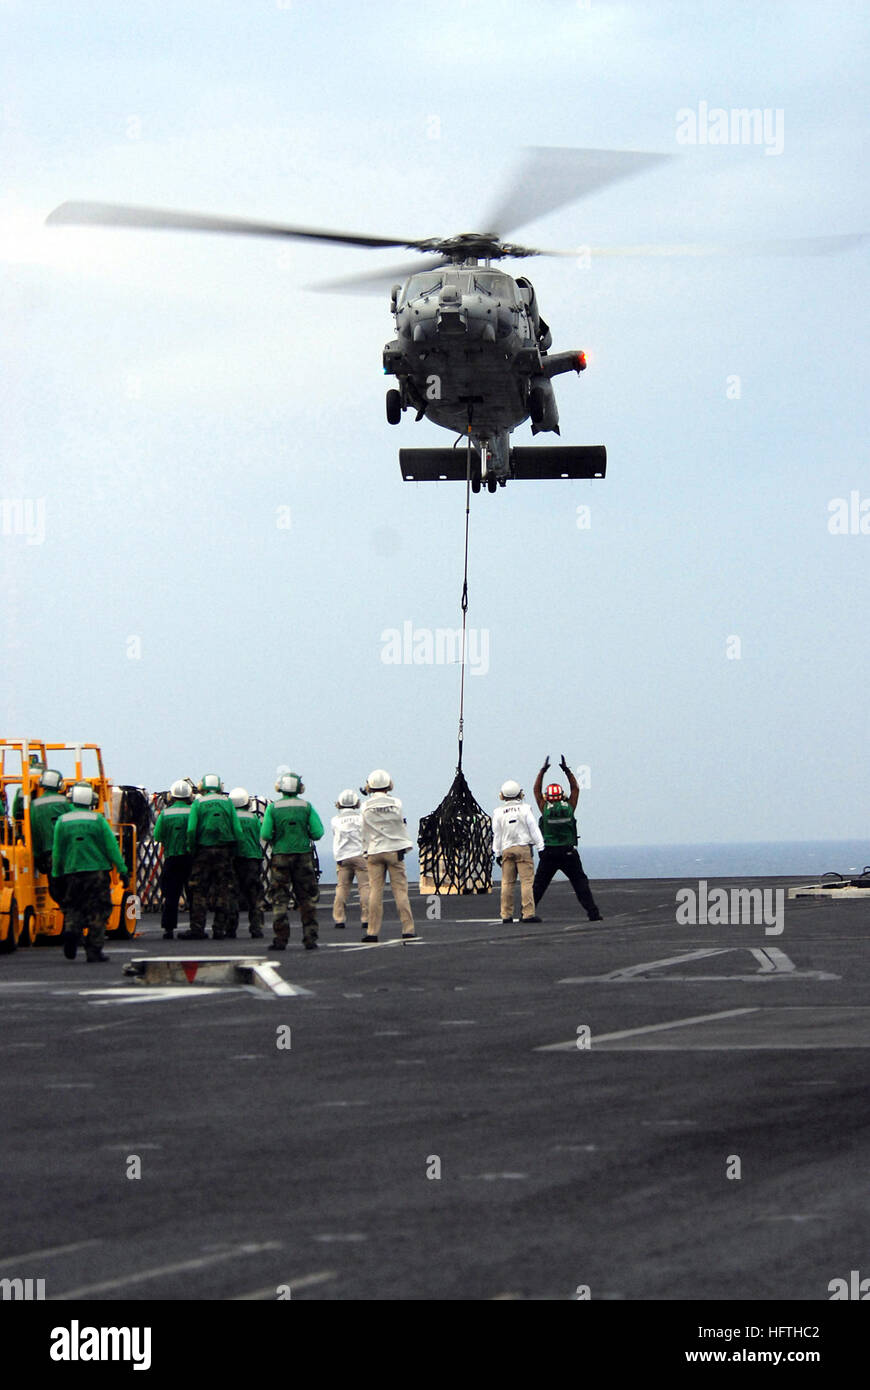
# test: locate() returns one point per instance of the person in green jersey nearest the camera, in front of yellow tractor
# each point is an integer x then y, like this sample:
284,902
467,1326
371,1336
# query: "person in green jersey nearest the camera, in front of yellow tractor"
84,851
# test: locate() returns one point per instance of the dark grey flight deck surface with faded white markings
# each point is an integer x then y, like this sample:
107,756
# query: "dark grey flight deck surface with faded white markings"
313,1168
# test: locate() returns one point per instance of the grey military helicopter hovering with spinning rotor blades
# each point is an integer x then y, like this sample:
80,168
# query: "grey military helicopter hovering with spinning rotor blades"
473,351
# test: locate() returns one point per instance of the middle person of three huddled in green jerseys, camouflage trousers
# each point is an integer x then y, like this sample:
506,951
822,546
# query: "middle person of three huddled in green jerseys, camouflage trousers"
215,839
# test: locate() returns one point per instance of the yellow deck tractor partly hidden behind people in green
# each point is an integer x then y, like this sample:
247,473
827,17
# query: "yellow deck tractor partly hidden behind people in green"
28,911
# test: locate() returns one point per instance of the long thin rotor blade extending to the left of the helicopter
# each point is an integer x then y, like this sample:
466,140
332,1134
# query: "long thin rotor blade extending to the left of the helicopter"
120,215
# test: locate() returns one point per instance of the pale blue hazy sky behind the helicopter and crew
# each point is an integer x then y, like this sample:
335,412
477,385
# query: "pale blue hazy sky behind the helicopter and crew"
205,537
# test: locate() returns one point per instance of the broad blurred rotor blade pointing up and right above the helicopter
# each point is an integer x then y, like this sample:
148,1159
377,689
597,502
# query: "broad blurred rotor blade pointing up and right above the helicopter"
550,177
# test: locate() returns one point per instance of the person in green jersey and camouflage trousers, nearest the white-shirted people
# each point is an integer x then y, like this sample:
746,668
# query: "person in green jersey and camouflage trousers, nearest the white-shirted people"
290,826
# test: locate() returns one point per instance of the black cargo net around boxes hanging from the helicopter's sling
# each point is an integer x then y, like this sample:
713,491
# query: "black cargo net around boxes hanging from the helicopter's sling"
457,844
